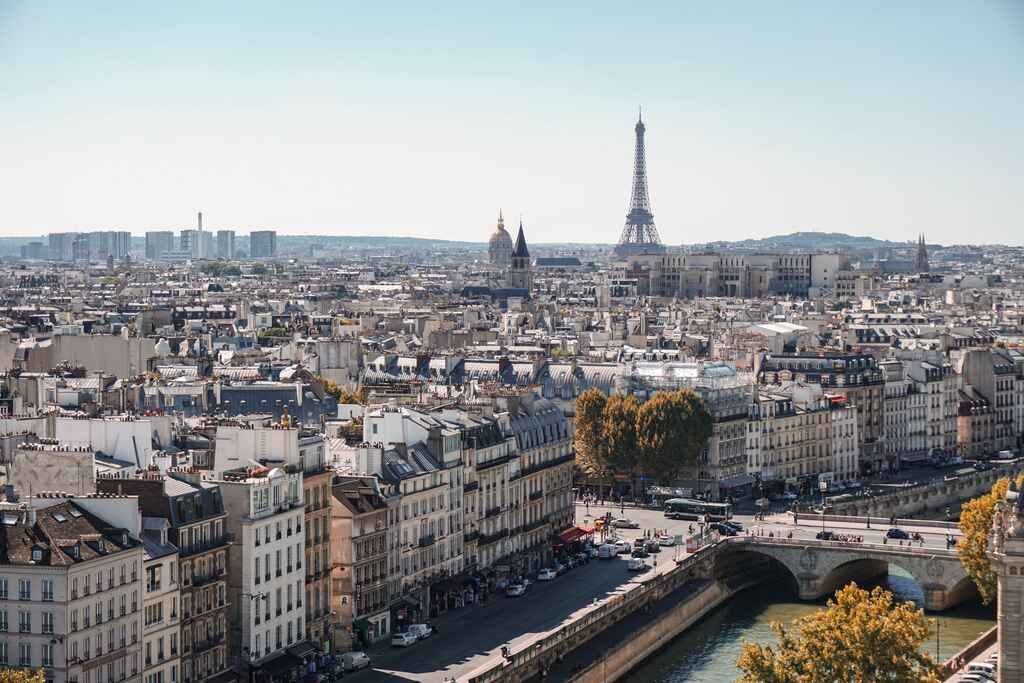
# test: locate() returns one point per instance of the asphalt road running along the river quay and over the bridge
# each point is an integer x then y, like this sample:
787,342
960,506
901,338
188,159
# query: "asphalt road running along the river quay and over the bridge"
468,638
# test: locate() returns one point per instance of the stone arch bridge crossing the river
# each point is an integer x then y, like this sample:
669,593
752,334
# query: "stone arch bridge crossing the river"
822,567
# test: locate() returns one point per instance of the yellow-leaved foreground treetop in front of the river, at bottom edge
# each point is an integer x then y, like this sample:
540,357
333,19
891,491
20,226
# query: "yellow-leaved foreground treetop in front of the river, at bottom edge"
860,637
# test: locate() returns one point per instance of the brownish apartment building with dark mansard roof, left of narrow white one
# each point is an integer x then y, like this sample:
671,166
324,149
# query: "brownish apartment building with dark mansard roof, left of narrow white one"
195,514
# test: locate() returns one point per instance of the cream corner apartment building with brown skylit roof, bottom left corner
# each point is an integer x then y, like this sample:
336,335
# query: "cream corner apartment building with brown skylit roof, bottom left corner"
71,589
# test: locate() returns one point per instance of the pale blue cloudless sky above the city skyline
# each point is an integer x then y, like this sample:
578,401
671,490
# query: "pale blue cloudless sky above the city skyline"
422,119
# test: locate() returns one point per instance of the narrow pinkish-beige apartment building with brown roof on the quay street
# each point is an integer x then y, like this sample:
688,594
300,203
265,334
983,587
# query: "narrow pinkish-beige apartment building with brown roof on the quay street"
361,593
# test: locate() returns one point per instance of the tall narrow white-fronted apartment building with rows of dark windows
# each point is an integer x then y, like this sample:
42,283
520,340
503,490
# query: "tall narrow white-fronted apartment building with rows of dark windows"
267,584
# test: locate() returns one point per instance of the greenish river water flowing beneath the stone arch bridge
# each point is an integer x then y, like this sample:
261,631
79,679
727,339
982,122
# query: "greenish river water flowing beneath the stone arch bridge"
708,652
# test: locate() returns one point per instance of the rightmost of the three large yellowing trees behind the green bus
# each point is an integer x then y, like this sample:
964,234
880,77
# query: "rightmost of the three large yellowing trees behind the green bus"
672,431
